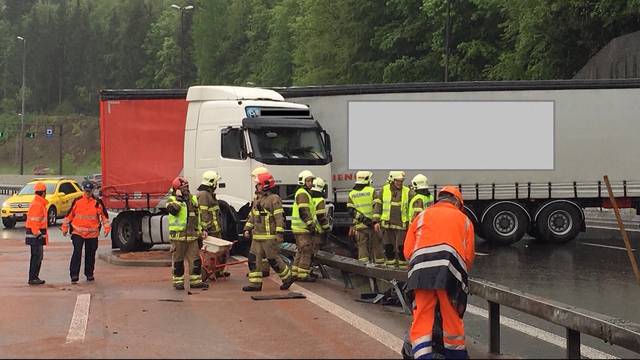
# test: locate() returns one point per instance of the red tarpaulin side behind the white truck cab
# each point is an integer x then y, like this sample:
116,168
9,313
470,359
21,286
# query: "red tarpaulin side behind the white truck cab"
142,149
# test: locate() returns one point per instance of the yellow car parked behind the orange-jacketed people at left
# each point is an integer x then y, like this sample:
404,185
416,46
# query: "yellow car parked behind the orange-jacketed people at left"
60,193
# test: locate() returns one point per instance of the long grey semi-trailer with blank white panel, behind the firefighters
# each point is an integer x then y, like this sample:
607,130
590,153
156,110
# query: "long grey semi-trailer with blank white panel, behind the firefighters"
595,133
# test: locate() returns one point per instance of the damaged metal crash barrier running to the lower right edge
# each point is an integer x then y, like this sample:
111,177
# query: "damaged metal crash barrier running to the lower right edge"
576,321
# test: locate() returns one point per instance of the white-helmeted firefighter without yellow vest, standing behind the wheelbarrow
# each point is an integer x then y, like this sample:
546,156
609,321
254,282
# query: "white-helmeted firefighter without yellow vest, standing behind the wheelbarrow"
210,216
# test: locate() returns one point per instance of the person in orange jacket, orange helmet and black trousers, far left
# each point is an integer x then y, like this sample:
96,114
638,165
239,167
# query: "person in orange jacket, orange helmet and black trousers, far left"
36,232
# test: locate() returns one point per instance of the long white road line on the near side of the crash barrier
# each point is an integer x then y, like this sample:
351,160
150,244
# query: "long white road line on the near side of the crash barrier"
384,337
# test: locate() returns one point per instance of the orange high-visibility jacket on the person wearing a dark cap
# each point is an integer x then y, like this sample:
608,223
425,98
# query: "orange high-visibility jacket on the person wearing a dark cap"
85,218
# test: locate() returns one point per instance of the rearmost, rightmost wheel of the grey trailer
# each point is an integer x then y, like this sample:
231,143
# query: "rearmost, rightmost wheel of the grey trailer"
559,223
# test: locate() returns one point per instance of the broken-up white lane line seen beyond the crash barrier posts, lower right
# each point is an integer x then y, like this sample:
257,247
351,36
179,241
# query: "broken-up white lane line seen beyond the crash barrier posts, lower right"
554,339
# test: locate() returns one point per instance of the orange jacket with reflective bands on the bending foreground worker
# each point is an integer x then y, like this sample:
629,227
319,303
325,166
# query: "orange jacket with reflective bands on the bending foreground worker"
441,249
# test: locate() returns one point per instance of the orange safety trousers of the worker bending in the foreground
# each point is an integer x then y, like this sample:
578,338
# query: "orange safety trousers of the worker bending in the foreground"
422,326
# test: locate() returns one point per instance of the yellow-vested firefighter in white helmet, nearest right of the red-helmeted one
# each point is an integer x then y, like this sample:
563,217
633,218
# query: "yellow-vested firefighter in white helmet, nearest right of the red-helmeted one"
303,226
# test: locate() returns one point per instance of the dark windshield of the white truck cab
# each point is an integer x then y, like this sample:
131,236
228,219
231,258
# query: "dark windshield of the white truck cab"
299,146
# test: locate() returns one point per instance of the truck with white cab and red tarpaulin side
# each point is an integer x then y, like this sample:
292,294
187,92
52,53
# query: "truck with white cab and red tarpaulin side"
148,137
